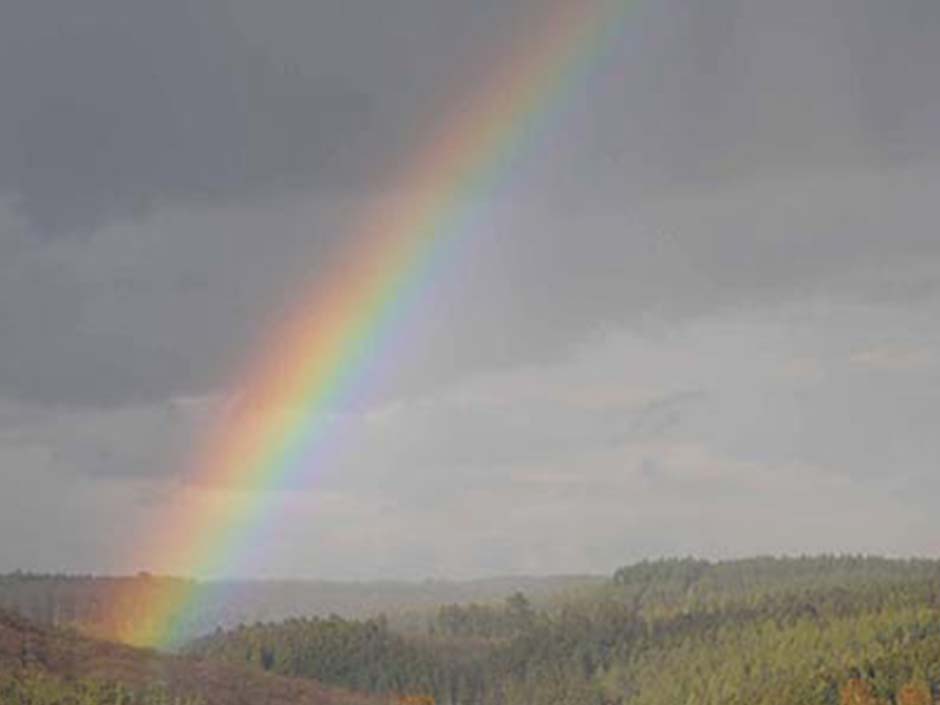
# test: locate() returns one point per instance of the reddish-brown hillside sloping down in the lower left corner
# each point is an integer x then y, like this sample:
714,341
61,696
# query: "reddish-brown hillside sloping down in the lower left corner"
43,662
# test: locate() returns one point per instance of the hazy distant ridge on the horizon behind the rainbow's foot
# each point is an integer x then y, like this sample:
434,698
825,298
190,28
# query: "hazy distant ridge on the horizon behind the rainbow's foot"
93,603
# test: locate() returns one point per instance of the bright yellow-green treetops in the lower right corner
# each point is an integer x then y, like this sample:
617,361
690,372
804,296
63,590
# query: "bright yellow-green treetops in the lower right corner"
767,662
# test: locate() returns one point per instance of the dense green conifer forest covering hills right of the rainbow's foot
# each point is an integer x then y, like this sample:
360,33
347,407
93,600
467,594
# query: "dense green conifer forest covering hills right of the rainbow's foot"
809,631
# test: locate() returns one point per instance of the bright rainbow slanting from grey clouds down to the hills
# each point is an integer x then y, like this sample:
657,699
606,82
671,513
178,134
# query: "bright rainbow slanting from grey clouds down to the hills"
316,356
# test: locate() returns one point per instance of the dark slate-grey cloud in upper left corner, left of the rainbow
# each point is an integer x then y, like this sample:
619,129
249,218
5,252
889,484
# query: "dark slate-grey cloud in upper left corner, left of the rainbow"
115,107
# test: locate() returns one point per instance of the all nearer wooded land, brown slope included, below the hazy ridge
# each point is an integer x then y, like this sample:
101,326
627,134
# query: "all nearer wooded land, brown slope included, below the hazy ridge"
763,631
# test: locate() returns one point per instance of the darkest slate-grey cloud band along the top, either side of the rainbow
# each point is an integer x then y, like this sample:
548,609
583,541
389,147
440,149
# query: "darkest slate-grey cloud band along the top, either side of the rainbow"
114,107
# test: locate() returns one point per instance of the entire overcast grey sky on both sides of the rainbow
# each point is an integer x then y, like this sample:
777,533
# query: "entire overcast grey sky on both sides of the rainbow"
700,316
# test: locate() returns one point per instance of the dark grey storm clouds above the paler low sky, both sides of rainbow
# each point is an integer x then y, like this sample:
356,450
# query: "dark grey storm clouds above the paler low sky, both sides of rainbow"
724,153
